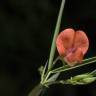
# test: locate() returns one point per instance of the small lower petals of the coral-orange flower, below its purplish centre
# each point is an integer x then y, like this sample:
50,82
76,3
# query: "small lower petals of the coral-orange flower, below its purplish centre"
75,57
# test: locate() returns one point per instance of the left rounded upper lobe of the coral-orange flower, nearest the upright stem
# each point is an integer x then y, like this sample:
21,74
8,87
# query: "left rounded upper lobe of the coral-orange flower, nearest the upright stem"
65,40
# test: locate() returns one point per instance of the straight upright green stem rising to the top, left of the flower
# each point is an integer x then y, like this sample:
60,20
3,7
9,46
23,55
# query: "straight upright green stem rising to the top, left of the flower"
53,46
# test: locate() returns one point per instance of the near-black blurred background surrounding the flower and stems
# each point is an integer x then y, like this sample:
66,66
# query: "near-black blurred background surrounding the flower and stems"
26,31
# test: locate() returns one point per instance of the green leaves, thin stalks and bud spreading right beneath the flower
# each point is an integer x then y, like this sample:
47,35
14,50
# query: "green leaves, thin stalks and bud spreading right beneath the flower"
50,77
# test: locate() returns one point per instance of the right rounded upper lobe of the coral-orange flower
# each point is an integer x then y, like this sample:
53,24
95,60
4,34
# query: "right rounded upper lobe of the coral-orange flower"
81,41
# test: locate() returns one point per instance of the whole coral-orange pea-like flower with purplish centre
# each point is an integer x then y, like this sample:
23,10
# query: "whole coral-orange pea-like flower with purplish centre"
72,45
